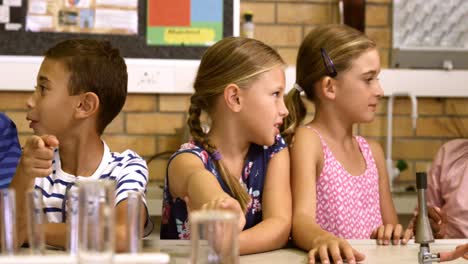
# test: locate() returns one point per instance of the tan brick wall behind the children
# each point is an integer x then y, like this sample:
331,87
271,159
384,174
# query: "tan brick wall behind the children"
150,124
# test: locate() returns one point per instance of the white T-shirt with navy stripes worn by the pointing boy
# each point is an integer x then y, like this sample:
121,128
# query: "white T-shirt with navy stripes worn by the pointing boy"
127,168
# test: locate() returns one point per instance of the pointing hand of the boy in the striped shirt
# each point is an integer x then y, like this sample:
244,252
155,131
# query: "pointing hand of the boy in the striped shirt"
38,153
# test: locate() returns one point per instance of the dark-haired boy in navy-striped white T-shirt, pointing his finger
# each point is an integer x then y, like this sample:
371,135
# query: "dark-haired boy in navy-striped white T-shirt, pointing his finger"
81,87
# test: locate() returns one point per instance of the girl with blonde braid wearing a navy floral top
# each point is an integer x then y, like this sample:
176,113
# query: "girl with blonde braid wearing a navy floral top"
241,163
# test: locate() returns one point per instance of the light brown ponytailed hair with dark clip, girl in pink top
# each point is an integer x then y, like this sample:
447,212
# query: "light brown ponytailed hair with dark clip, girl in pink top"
343,44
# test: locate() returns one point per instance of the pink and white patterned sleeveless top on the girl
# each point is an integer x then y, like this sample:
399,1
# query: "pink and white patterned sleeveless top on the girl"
348,206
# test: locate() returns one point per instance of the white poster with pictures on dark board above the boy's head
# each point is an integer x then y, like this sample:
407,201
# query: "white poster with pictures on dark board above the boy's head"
118,17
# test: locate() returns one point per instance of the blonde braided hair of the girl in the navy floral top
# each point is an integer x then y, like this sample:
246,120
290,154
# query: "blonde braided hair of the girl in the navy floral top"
233,60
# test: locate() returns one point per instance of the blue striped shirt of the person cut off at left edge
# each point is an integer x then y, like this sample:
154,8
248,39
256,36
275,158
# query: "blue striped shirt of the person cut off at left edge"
10,150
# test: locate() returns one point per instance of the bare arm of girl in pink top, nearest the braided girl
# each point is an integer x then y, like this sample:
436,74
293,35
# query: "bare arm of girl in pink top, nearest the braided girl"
306,154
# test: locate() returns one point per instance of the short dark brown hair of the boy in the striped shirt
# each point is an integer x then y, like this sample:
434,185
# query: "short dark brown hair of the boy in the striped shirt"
94,66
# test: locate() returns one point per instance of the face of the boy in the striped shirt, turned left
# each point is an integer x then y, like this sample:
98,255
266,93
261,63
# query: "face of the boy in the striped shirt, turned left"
51,109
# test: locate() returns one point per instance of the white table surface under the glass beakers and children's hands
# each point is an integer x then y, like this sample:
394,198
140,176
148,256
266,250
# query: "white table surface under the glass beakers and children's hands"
179,252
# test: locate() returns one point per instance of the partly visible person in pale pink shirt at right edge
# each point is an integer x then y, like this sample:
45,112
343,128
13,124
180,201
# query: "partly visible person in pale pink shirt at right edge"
446,198
